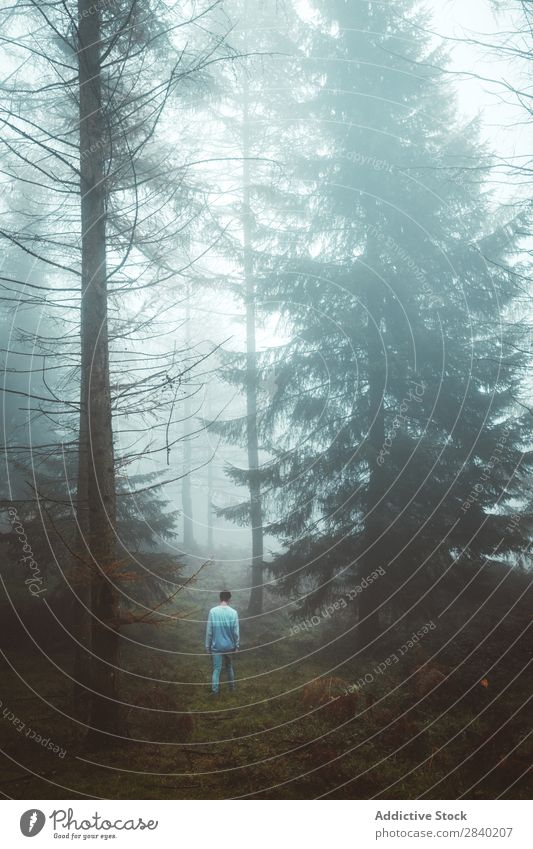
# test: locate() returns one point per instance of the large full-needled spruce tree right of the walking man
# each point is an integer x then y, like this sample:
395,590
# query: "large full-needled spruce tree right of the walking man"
395,397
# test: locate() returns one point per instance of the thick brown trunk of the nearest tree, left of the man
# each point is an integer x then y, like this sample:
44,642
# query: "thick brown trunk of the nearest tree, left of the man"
95,369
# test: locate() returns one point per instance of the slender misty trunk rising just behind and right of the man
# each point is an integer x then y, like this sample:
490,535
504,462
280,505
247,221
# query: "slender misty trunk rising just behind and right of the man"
256,511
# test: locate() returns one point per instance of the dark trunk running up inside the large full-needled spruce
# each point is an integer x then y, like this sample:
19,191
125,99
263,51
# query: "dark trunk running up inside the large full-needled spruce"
369,627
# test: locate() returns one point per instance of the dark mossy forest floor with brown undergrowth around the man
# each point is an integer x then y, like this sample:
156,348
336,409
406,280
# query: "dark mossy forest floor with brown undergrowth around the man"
278,735
